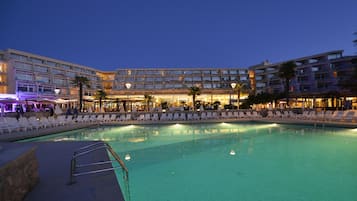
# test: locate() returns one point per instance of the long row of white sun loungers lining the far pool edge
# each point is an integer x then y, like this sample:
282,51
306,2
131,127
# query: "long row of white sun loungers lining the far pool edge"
10,124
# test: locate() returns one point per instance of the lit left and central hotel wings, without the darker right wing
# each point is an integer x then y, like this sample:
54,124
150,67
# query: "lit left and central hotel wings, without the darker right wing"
33,77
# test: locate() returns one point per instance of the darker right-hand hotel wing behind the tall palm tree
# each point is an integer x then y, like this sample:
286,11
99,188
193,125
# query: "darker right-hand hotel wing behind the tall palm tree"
316,77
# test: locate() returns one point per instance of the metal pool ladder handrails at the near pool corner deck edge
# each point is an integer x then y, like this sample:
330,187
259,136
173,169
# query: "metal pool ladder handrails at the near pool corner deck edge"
74,172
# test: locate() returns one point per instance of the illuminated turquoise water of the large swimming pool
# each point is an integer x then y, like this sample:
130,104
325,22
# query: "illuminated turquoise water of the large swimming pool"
232,161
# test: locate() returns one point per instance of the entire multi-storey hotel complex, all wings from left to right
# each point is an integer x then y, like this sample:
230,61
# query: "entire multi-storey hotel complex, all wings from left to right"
30,77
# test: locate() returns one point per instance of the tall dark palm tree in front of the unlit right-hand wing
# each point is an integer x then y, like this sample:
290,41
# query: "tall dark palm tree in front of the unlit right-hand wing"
287,72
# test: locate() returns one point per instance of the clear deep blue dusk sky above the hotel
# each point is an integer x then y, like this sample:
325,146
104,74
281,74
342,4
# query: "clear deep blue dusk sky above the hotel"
111,34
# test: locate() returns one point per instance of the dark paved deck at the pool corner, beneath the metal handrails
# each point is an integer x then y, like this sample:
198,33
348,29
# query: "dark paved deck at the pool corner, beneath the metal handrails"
54,167
